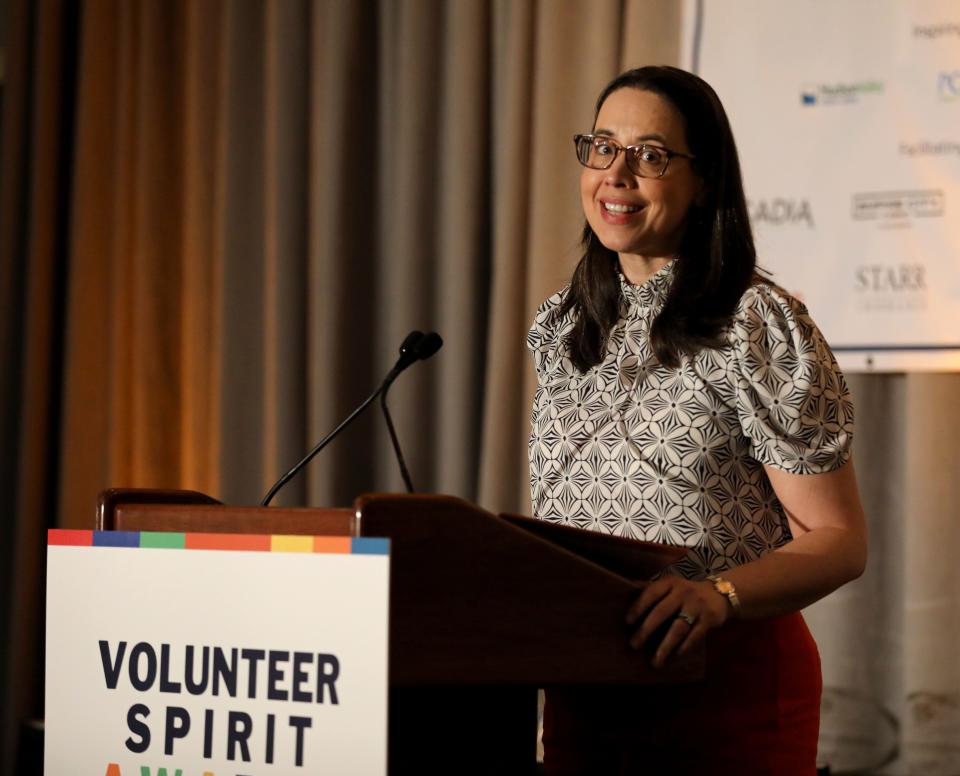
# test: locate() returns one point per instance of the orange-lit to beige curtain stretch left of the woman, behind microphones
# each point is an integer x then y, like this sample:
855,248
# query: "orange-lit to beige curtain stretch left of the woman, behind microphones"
270,195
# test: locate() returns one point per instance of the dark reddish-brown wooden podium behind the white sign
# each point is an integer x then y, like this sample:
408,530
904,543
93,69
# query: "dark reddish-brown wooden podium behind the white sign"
484,609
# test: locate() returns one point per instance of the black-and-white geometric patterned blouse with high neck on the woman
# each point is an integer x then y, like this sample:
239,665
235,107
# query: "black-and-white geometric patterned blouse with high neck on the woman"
676,456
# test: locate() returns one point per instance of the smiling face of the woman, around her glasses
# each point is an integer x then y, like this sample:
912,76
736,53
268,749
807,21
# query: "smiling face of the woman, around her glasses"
631,215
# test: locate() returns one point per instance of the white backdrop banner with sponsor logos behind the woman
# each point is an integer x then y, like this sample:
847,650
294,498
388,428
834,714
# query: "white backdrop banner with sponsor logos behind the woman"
851,162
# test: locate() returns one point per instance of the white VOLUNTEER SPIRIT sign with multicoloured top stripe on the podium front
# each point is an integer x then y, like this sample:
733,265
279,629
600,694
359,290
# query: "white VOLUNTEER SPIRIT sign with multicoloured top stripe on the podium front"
215,655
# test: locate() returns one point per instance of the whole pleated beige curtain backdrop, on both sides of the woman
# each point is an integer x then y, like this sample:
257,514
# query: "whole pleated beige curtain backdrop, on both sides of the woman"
265,197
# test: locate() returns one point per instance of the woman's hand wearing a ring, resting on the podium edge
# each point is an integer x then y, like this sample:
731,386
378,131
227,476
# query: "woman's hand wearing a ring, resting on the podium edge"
694,607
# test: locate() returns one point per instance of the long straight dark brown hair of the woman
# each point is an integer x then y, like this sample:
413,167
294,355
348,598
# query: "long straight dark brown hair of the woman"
717,258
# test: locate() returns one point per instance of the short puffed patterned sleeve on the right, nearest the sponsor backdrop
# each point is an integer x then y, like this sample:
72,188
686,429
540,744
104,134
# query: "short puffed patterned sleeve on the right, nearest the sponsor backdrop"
792,400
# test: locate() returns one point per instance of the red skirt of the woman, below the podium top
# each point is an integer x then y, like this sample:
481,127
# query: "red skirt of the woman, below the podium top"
756,712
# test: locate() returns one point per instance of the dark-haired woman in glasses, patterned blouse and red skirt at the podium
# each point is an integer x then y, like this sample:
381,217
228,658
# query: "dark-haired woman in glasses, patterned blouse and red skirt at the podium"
685,398
